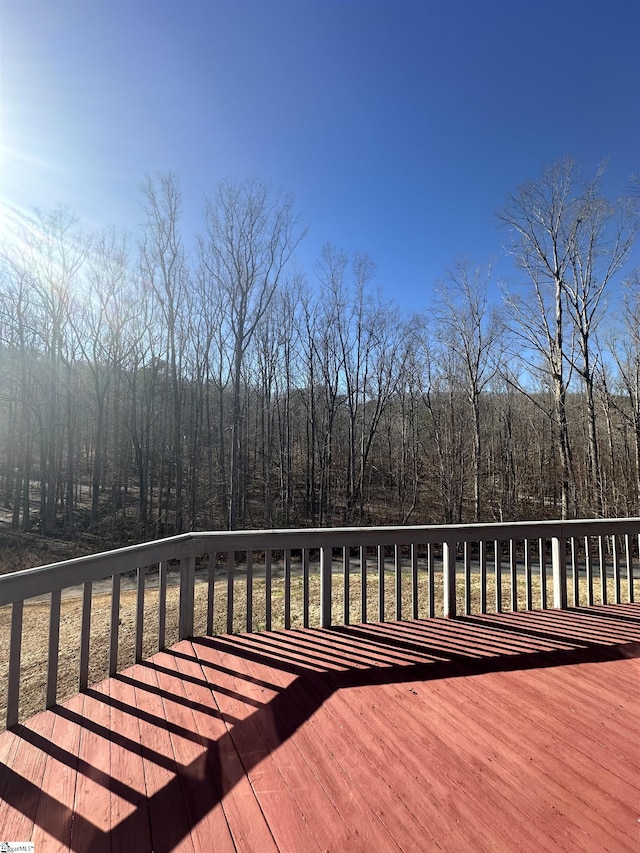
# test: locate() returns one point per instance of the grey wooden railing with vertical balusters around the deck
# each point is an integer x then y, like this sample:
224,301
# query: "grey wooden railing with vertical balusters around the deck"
469,565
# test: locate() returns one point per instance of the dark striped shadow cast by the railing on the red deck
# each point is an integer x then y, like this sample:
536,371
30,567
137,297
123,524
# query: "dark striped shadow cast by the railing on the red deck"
298,671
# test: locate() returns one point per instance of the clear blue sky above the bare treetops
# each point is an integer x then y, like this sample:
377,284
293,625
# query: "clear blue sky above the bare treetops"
399,127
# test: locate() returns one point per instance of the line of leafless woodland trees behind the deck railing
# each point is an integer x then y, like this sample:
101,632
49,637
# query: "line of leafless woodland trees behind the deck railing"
151,390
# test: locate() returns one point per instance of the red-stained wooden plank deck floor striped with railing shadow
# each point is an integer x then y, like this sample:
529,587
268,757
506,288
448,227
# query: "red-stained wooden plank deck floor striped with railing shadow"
500,732
